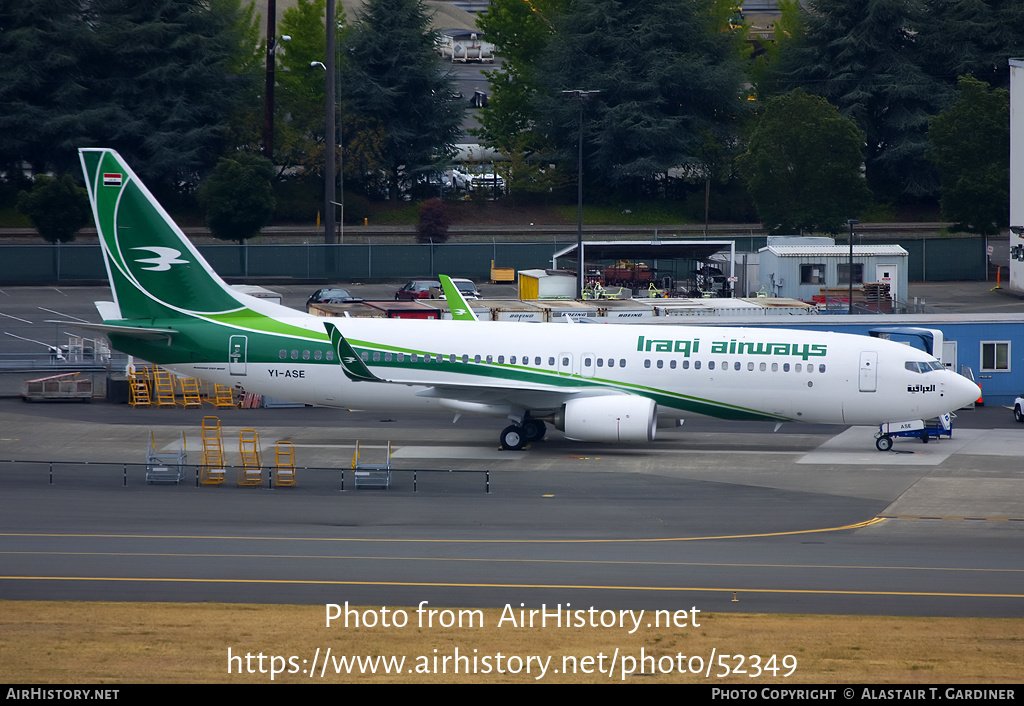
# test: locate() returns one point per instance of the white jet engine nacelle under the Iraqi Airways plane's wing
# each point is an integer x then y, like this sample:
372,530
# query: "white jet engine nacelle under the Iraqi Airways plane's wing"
610,419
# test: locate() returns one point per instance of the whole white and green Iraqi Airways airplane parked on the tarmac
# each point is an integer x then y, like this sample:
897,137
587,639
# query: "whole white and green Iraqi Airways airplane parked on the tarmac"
596,384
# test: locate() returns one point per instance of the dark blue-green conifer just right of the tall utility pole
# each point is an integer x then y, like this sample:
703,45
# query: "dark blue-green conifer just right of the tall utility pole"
394,82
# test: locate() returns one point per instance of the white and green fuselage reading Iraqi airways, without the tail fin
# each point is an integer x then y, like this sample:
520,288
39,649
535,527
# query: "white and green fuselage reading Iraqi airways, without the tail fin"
727,372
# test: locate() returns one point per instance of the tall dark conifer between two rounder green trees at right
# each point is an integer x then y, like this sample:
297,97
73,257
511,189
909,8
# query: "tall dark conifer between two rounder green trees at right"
866,58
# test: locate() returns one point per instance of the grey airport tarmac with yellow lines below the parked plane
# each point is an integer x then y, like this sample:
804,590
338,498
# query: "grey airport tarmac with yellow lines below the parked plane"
722,517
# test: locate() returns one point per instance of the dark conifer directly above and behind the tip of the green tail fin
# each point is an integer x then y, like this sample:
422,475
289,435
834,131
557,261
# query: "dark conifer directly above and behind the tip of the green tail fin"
162,73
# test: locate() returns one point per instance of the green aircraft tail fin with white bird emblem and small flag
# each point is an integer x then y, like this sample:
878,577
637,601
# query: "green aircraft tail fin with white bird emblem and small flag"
154,270
